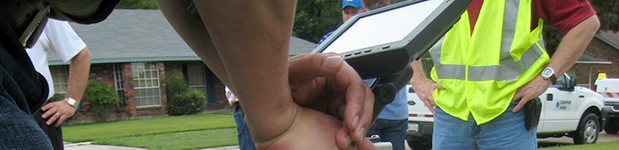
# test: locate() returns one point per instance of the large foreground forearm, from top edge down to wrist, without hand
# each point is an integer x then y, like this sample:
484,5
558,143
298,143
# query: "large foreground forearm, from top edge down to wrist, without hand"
256,64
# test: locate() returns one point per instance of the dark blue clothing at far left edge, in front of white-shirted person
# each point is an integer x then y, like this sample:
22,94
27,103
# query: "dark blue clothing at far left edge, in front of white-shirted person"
21,91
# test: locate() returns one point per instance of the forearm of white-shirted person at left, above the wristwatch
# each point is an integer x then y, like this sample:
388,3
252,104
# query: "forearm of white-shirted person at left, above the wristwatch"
78,74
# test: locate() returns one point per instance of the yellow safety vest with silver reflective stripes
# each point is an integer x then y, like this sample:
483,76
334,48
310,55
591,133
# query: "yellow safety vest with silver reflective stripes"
482,71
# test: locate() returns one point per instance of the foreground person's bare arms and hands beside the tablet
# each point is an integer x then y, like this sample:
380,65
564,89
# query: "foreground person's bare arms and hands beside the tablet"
248,46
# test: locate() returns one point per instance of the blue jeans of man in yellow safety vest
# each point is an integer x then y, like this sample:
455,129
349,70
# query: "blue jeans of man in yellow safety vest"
504,132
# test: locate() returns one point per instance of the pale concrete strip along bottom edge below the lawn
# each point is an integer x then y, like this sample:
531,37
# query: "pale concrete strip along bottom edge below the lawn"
89,146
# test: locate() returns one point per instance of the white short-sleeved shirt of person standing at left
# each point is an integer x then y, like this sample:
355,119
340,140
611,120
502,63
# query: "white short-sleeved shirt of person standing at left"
59,37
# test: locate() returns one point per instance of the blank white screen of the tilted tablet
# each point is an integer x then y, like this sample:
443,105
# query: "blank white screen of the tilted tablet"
382,28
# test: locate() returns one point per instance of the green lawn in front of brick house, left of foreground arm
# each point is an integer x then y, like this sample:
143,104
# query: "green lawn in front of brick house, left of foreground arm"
203,130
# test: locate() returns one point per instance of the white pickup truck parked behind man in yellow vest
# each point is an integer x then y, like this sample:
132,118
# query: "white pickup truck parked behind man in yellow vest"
567,110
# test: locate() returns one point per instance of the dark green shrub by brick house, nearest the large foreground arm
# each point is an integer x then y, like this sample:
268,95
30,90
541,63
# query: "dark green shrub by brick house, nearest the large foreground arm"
183,100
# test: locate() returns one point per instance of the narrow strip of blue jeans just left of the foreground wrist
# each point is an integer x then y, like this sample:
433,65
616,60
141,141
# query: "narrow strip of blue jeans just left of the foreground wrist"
245,141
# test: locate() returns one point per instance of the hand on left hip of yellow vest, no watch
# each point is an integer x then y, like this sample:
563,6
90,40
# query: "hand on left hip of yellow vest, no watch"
424,88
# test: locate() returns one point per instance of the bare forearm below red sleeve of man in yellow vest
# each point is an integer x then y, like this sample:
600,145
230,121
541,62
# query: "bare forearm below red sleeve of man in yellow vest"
573,45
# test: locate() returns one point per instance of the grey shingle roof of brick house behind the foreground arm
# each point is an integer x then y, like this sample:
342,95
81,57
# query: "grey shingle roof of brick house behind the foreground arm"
134,35
